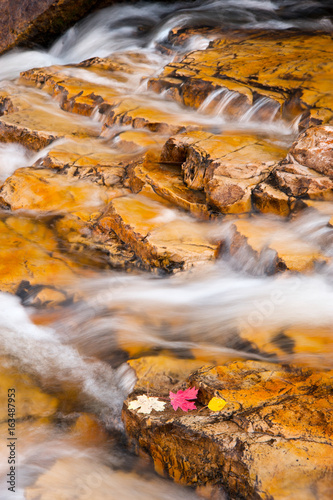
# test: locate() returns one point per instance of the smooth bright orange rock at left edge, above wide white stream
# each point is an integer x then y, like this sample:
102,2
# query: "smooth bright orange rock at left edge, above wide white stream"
31,263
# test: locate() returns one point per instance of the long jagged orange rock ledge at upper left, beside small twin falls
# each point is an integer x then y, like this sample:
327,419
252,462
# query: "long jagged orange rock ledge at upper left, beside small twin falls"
78,95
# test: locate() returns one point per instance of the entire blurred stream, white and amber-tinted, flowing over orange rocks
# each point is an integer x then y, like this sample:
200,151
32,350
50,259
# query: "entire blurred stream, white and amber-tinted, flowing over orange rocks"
75,354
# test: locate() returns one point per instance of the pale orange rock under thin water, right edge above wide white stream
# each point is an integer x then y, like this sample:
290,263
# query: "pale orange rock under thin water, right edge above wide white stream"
268,246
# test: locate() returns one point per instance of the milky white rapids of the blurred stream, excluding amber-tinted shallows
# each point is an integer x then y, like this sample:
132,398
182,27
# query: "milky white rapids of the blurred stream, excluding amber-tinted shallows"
207,312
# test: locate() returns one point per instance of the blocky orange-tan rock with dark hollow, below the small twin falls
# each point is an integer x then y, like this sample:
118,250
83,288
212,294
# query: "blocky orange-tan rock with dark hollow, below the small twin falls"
226,167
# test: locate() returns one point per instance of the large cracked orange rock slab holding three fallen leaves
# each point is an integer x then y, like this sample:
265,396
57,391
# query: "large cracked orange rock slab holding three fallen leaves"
268,421
